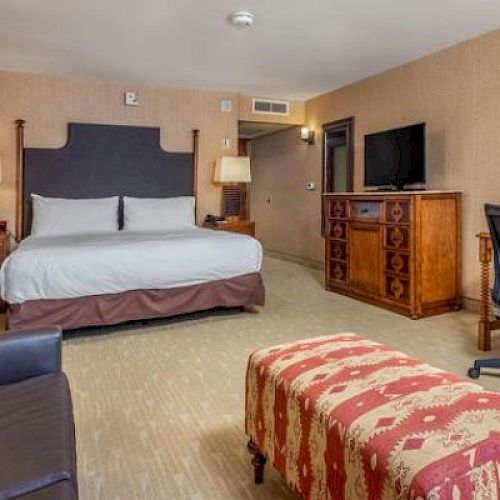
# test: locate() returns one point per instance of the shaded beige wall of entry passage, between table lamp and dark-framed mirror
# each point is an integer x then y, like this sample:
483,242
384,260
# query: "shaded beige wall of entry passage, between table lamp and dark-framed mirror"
290,221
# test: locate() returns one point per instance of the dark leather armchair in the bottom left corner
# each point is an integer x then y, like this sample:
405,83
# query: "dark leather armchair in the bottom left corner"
37,436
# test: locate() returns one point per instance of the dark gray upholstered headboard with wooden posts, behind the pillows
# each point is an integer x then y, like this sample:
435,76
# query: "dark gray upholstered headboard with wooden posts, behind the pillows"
105,160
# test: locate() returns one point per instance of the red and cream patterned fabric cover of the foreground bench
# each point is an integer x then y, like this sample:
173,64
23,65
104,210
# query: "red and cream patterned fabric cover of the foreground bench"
345,417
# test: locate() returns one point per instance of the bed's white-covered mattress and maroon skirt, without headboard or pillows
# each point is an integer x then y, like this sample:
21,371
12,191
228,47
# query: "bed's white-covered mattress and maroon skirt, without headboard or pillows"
98,279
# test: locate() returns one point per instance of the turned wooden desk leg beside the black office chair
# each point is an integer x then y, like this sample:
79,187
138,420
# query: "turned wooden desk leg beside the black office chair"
484,327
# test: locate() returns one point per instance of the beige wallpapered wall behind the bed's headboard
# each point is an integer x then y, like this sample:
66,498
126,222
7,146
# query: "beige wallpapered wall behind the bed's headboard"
49,103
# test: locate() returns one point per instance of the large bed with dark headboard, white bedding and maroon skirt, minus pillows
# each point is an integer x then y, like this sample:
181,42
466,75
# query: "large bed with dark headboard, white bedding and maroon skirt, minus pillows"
87,279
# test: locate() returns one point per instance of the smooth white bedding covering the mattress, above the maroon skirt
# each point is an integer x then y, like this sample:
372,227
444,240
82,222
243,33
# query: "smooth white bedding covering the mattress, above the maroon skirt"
62,267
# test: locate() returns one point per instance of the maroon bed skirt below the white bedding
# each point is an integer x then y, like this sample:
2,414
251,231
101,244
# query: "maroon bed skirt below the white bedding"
111,309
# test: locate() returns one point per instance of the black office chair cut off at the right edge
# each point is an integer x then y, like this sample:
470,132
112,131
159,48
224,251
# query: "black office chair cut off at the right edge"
492,213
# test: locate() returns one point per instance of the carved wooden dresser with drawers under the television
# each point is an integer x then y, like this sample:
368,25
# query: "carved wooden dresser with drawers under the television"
398,250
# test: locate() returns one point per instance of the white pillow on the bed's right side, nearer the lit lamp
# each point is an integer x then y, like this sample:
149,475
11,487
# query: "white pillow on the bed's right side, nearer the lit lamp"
158,214
